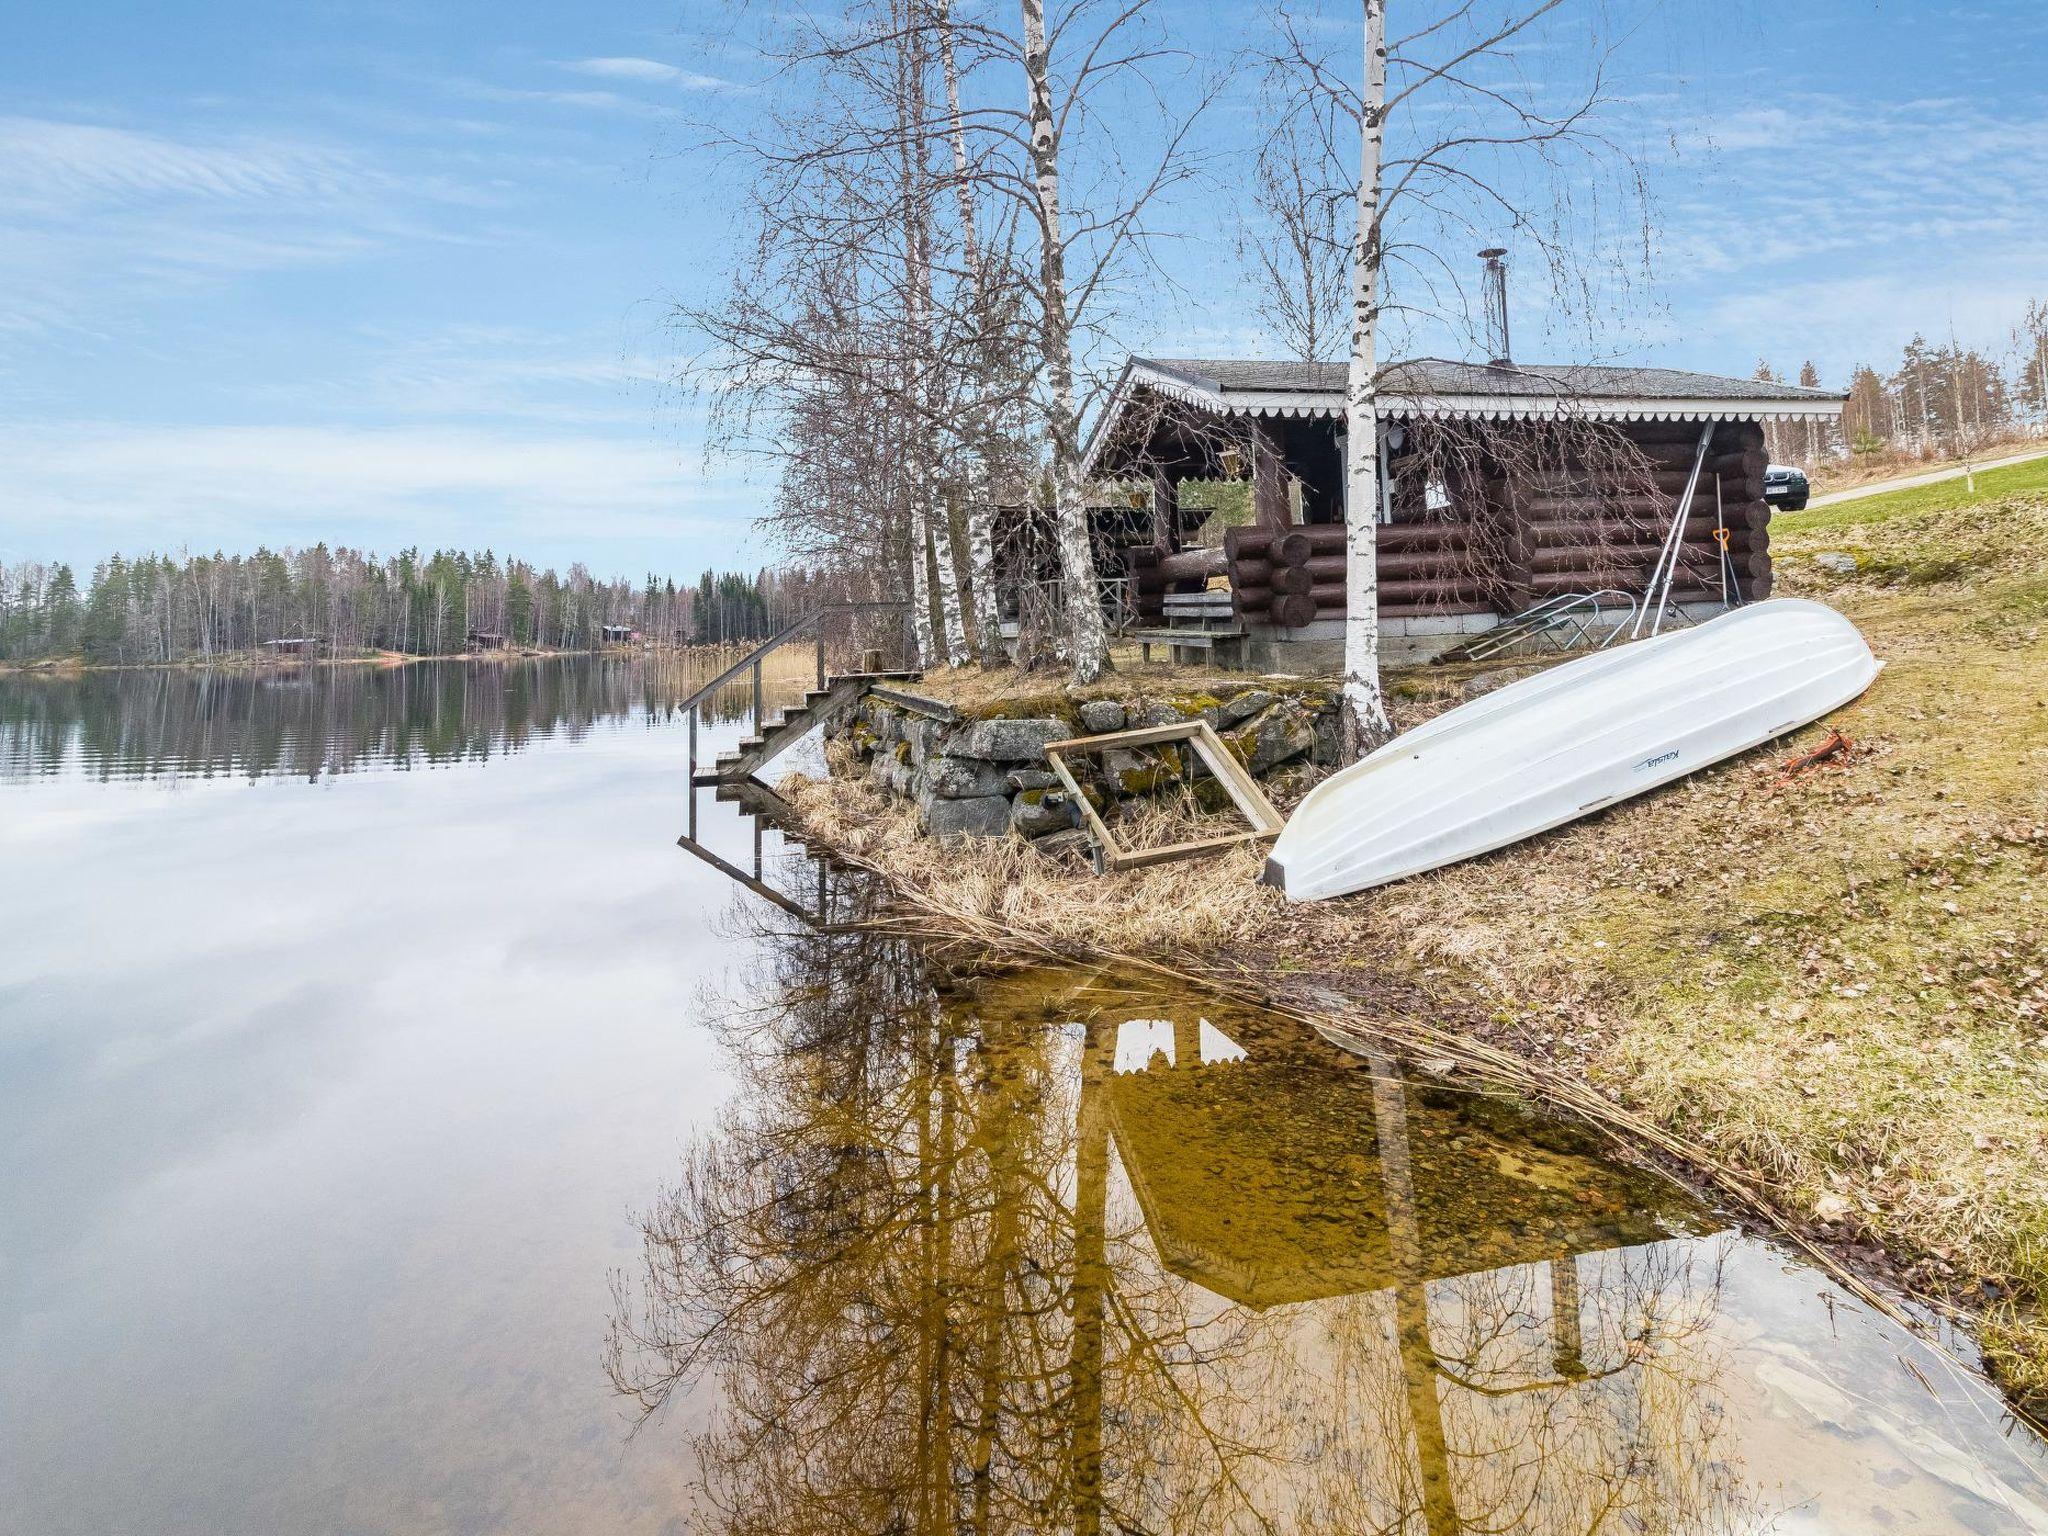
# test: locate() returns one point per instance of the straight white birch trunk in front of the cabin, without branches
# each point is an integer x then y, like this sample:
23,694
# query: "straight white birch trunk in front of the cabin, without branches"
1365,708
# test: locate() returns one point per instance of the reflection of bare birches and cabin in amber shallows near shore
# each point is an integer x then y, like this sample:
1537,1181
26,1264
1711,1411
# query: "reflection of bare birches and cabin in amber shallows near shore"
939,1283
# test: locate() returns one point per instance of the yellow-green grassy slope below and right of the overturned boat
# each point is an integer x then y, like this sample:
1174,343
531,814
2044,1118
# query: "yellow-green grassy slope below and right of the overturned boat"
1838,982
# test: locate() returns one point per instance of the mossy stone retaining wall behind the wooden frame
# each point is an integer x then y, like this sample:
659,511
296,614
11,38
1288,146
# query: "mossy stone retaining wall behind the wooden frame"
990,779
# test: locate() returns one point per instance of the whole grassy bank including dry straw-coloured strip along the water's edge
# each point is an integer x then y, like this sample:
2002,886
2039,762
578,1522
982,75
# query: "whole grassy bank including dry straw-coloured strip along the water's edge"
1822,994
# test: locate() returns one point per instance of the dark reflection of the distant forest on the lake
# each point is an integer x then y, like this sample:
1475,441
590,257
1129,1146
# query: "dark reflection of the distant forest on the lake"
327,720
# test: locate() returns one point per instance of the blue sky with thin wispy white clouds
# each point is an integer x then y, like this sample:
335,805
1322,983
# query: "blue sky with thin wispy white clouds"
400,273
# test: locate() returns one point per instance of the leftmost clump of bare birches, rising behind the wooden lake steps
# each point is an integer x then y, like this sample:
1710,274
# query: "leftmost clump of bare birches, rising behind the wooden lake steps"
849,290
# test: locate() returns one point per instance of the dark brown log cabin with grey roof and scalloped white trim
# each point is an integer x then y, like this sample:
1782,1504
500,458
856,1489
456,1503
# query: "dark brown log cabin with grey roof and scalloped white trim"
1531,511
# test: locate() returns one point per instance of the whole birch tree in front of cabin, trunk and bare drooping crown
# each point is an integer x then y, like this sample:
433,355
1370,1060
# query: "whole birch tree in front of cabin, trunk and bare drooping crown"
1447,146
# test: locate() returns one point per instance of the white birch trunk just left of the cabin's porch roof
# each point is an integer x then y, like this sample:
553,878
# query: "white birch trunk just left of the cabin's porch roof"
1086,640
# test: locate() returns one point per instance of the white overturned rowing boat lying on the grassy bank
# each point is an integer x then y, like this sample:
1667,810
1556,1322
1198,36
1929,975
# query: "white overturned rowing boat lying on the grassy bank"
1568,742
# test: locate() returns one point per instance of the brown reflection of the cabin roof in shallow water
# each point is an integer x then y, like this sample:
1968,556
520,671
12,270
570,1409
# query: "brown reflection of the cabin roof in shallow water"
1261,1177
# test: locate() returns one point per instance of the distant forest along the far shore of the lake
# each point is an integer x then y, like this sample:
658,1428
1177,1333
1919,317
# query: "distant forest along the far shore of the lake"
196,607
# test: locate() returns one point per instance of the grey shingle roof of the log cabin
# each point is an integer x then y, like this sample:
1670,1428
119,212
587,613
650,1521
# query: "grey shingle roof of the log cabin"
1443,378
